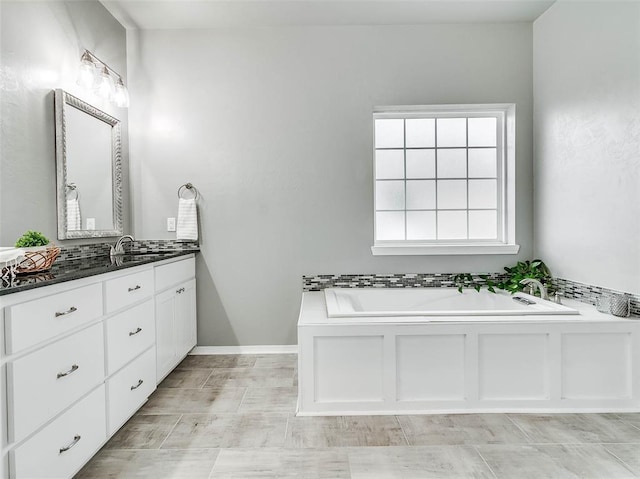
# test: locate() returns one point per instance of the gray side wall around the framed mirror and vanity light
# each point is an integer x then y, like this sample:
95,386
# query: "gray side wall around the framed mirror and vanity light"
41,44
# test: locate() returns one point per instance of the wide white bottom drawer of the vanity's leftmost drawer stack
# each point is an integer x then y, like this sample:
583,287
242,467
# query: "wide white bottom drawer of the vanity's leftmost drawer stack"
81,429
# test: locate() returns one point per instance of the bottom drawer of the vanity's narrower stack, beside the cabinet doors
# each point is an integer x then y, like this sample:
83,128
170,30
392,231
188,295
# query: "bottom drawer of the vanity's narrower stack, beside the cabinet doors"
130,388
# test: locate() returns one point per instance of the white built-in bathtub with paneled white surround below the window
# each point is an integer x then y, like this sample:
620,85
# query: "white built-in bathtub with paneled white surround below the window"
434,350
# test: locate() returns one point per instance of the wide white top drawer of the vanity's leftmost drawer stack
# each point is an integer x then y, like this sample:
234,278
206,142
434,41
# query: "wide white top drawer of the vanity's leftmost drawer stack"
41,319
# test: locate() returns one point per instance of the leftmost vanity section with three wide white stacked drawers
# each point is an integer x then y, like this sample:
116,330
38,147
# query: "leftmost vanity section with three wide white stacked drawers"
54,357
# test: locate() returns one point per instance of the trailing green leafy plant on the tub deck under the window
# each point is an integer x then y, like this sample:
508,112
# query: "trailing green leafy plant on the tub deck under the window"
535,269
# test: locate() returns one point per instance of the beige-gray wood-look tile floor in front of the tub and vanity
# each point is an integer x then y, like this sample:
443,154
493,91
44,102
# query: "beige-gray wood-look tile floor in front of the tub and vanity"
233,417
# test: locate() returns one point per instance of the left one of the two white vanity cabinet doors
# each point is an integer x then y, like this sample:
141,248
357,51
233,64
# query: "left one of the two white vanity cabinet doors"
166,353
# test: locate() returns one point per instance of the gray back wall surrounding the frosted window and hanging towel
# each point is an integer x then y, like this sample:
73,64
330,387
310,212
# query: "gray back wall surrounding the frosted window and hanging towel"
274,127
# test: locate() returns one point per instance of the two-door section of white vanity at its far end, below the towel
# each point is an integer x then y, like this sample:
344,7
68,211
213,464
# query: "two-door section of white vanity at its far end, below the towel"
175,314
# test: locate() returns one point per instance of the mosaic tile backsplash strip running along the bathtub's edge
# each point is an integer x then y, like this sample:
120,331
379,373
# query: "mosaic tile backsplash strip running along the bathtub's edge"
566,288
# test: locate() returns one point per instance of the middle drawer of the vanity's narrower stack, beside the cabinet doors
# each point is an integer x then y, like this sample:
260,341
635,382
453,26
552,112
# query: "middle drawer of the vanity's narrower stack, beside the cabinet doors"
128,334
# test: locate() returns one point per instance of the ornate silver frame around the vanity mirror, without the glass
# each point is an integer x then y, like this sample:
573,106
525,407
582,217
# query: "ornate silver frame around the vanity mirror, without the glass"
64,100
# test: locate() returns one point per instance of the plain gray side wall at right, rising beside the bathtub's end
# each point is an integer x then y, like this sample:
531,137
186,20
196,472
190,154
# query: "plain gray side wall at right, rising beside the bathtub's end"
587,142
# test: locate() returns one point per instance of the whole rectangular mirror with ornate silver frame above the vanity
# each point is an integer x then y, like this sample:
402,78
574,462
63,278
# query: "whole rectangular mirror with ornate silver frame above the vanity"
88,170
